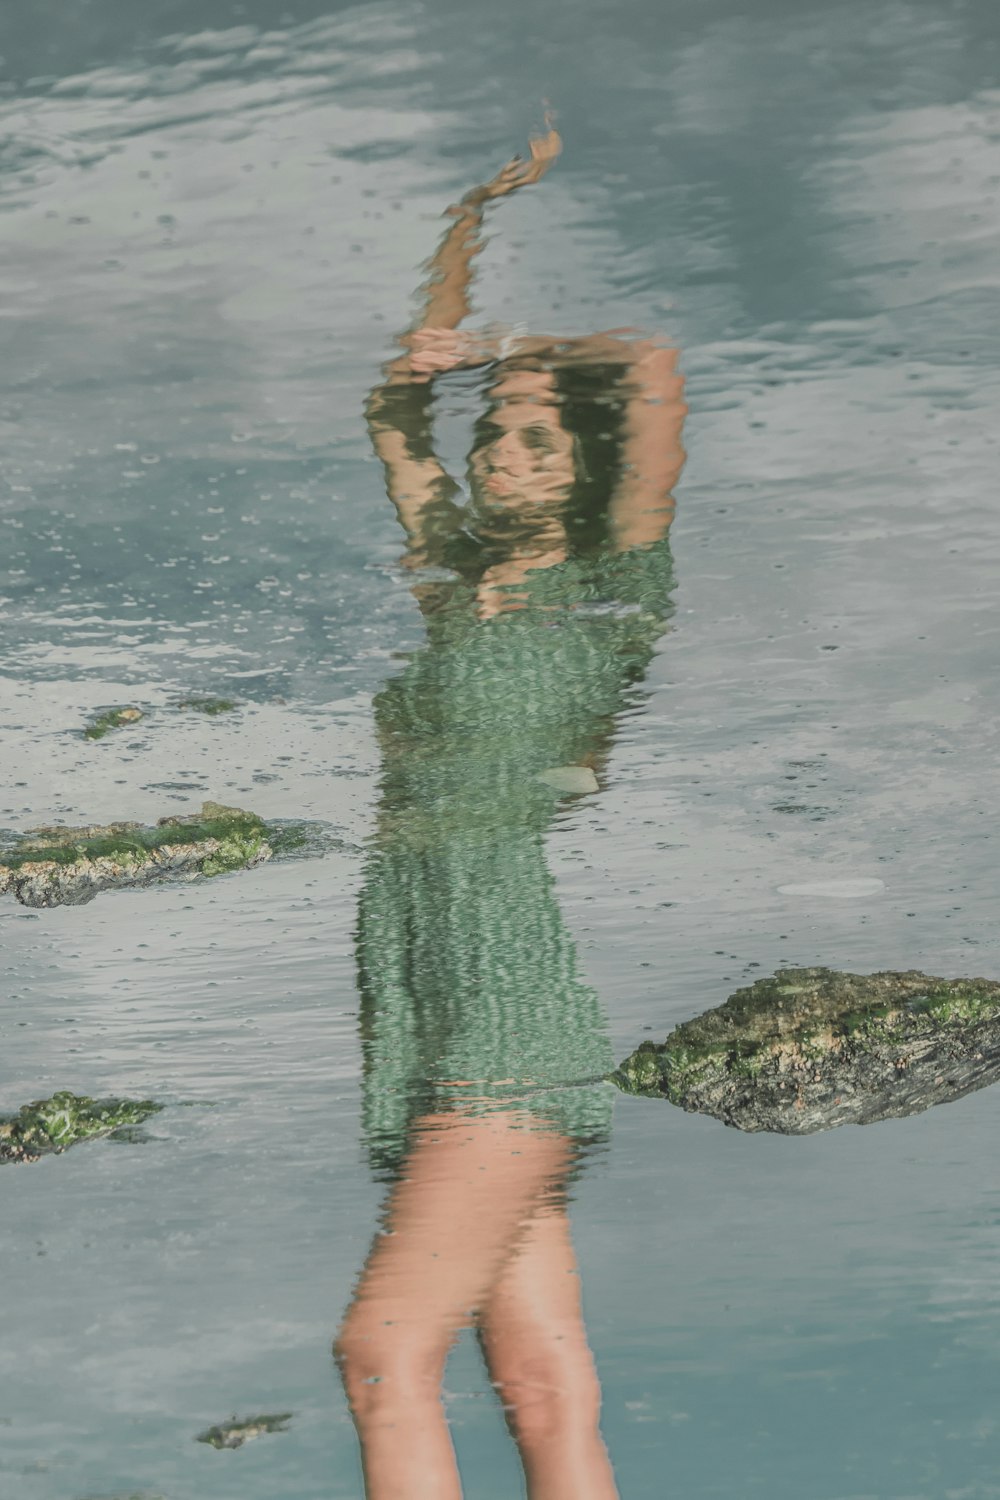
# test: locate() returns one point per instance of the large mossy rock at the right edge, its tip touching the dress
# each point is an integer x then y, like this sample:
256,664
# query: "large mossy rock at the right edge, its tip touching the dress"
812,1049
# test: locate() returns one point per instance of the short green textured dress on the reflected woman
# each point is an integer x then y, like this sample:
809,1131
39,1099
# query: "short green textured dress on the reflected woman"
472,994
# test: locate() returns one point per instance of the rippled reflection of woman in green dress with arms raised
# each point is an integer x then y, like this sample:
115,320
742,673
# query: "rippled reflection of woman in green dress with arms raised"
484,1049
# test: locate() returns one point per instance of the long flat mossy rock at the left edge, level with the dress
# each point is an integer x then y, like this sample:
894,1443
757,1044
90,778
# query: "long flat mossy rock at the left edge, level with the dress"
70,866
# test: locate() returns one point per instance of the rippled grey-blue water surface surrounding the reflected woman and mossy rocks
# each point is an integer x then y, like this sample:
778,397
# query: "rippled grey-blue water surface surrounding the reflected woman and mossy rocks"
214,220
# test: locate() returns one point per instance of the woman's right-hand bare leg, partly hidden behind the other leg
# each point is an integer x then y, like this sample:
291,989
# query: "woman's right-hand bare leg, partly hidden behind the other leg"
536,1346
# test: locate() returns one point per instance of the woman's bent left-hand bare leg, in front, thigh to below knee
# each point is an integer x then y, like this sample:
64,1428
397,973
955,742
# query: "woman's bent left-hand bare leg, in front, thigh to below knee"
470,1187
